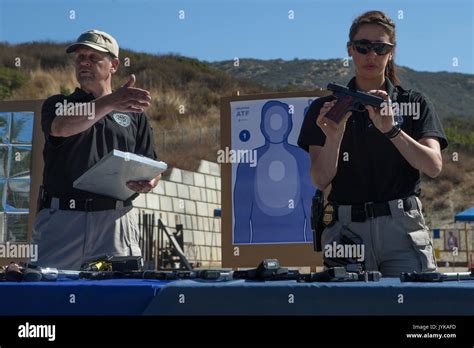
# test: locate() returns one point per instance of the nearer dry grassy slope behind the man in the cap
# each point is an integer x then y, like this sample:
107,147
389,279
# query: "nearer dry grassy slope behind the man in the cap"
186,93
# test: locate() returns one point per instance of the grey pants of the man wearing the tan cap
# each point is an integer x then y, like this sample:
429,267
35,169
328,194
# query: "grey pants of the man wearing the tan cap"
66,239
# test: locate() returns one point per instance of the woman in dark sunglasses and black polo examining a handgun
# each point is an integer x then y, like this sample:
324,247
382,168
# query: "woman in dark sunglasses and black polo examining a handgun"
372,160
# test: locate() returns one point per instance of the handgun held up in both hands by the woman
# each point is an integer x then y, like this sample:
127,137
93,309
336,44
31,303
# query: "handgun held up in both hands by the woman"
349,100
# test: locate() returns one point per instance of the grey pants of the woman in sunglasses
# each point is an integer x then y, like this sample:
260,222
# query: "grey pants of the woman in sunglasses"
397,243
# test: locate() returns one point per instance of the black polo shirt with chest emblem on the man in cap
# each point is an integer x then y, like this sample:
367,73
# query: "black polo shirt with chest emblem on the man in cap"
66,159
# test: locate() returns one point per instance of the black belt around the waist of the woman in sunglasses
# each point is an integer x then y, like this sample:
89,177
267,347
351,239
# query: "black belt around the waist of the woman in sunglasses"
362,212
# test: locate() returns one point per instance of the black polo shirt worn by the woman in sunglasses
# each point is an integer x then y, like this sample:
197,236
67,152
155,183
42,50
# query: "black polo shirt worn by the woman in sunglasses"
375,170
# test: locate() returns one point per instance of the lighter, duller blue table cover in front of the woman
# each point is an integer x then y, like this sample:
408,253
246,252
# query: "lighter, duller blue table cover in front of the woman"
386,297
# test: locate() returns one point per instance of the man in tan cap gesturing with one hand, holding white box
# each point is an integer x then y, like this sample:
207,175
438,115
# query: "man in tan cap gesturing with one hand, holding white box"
73,226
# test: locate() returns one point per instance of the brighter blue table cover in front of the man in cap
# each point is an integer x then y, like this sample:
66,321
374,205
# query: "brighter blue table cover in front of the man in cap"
78,297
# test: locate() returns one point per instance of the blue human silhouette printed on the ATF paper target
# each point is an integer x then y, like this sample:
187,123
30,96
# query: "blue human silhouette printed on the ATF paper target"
272,200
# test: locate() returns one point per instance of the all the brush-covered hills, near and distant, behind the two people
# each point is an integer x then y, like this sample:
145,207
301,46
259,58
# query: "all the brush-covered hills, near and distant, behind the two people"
184,136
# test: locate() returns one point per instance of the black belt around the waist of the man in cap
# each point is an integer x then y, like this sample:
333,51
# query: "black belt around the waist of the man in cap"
89,205
